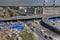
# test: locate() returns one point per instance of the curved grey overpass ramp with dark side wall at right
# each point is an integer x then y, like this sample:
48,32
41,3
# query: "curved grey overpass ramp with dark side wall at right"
48,24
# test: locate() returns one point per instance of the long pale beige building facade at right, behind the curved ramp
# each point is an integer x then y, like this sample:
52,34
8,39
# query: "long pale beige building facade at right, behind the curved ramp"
51,10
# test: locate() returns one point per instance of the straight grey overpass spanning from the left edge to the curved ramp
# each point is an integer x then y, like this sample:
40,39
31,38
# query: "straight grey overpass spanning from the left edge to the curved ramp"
22,17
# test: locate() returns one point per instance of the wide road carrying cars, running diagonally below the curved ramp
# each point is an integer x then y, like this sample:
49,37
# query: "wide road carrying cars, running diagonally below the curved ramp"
41,31
